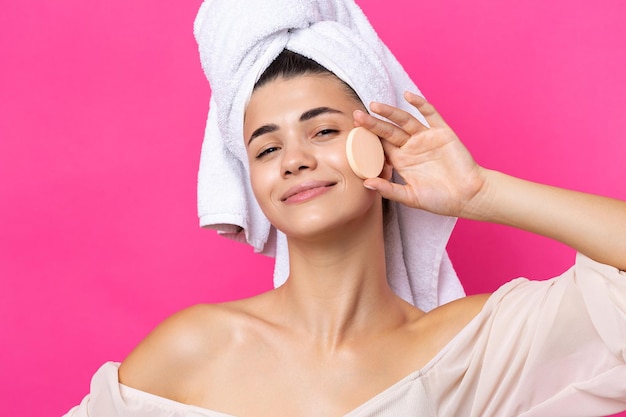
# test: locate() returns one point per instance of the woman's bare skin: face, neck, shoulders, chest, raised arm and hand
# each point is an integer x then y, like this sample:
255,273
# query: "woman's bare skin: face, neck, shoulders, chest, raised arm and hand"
335,335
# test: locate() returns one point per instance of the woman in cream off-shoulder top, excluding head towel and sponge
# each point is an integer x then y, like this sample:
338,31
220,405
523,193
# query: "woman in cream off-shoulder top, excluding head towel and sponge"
335,340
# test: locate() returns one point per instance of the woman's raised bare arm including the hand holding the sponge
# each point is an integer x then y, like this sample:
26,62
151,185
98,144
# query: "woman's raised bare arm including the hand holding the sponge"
442,177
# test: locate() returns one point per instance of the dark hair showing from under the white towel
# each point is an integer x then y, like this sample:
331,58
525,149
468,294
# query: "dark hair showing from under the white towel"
289,65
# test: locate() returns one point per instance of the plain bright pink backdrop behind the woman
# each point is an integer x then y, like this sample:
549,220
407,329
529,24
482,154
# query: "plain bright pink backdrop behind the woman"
102,110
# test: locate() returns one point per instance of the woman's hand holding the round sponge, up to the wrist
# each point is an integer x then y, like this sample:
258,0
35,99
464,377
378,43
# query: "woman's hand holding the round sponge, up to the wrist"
440,174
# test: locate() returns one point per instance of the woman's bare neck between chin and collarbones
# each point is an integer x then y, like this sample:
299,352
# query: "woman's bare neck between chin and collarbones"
337,288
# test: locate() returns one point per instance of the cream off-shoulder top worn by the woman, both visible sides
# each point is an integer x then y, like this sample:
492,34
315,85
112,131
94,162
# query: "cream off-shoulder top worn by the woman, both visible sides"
537,349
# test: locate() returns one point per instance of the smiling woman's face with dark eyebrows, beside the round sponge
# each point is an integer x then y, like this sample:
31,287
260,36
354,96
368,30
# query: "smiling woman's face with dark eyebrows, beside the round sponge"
295,134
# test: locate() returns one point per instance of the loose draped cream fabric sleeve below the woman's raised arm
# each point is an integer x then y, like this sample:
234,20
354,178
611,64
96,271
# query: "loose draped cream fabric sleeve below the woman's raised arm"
541,348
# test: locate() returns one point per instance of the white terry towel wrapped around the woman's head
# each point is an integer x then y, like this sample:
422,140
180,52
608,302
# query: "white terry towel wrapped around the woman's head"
238,39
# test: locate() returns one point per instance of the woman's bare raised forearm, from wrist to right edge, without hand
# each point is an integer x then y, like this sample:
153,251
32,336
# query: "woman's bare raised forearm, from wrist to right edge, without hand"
593,225
